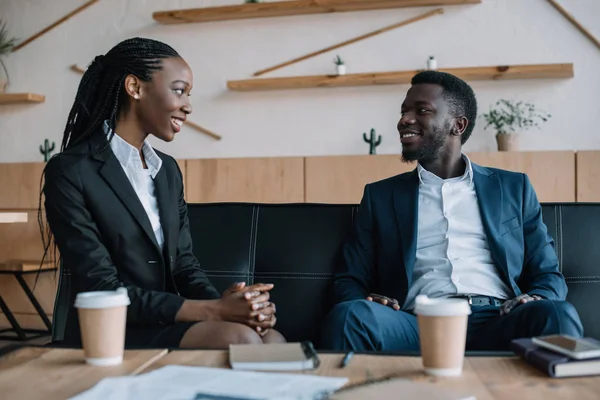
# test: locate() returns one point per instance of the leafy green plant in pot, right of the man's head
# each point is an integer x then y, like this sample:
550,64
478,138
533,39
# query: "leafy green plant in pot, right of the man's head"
509,118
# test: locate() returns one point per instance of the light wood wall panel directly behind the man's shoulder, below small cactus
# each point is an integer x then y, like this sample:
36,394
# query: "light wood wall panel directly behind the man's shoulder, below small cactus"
341,179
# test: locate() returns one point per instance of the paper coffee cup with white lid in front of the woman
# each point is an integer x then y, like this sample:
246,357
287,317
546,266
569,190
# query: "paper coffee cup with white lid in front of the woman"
102,319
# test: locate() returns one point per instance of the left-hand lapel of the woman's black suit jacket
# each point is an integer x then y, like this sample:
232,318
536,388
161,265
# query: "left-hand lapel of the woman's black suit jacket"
112,172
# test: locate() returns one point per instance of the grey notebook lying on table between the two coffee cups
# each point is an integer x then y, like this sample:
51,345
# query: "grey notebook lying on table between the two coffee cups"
274,357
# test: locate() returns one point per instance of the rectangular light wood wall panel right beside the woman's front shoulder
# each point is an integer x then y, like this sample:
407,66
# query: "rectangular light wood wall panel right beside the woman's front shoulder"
260,180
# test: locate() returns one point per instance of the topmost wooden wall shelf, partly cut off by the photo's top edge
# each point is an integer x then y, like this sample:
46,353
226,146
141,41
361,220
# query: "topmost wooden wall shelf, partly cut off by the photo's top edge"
288,8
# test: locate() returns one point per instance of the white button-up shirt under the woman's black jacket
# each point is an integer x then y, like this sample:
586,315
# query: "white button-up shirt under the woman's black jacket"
140,178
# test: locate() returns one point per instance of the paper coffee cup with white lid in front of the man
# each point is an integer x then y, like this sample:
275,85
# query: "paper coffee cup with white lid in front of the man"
442,333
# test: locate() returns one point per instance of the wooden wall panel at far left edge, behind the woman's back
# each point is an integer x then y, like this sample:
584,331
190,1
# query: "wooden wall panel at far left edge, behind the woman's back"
20,183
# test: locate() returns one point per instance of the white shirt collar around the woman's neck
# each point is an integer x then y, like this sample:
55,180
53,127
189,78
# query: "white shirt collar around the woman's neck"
129,156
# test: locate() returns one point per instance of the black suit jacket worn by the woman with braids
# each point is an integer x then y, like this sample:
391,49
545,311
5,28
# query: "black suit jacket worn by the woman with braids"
105,238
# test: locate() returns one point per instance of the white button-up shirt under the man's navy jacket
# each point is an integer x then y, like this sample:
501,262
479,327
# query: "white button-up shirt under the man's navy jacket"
453,256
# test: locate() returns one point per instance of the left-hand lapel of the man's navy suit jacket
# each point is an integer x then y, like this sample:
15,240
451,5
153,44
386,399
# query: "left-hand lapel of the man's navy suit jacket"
406,207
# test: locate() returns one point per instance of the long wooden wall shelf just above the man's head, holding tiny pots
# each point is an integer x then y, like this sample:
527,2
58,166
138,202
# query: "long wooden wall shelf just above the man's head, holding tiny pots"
540,71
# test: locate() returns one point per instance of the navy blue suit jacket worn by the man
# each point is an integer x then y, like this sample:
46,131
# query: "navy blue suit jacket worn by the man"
379,254
